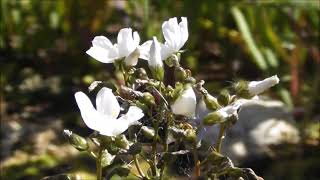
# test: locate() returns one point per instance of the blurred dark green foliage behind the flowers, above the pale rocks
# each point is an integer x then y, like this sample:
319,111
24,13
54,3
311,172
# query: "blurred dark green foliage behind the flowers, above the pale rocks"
43,44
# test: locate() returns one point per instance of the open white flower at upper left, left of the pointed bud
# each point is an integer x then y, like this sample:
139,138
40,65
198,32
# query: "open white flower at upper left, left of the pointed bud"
127,47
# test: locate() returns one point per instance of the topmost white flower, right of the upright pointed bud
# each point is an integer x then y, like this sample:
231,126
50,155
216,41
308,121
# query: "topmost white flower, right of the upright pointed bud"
175,35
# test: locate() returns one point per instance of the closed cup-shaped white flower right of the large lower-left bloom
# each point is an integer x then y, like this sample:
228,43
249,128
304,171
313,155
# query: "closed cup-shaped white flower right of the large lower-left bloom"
185,104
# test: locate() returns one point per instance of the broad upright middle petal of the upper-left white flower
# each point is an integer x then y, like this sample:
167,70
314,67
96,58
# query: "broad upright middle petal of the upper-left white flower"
125,42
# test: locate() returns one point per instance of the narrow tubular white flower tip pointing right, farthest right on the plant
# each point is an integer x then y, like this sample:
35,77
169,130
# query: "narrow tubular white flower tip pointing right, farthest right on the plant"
257,87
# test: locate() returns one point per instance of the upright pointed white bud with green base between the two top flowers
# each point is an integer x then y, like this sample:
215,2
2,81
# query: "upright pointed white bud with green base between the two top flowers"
155,62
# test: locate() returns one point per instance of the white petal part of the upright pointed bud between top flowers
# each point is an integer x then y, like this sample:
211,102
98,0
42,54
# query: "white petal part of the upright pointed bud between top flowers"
155,54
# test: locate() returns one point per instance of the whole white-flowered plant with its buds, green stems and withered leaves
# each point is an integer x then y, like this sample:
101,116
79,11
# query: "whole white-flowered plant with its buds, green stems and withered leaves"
154,119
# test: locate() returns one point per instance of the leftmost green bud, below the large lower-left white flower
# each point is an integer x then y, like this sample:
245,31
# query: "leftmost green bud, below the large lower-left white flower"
76,141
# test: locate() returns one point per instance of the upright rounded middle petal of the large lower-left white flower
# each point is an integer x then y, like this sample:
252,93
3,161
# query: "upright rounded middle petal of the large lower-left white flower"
107,103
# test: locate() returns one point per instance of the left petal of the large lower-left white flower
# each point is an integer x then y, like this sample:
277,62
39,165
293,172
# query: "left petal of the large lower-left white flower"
91,117
